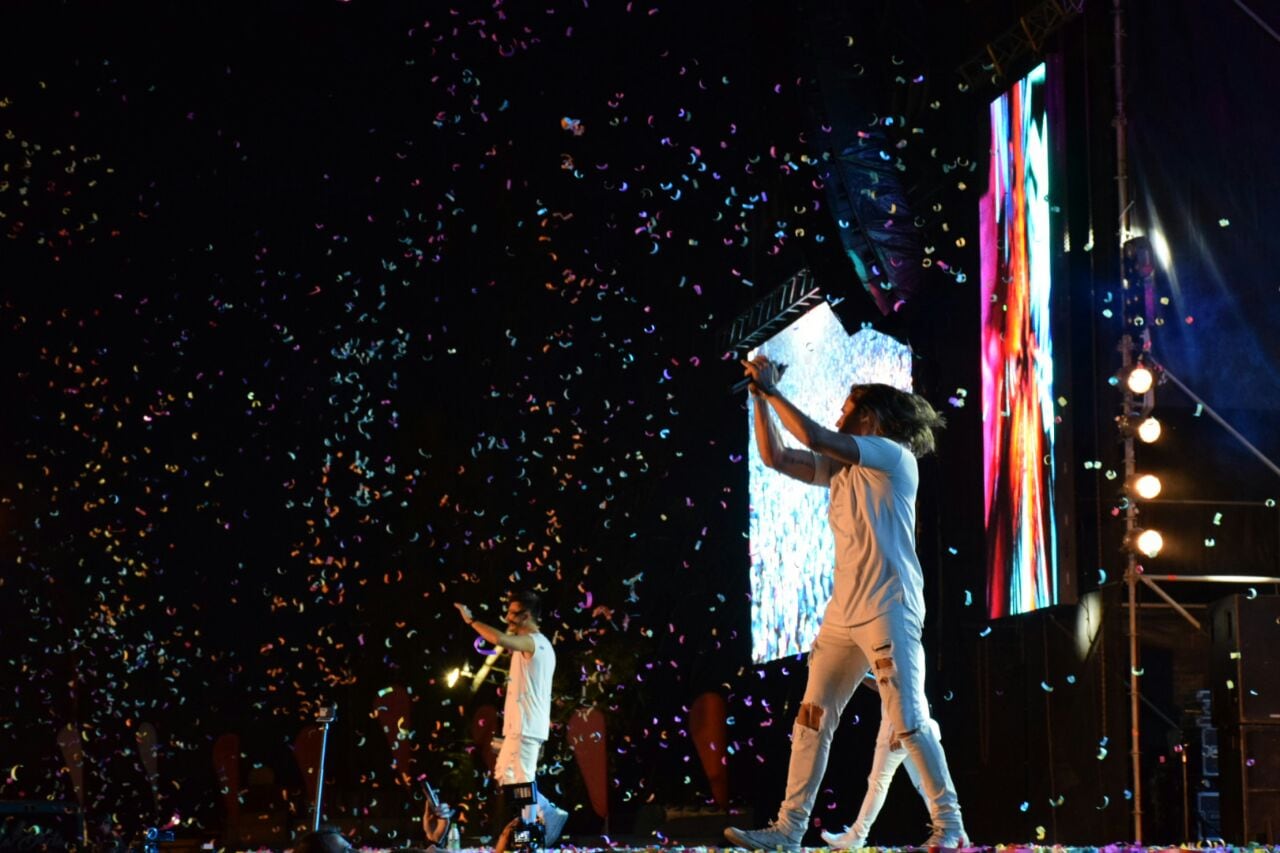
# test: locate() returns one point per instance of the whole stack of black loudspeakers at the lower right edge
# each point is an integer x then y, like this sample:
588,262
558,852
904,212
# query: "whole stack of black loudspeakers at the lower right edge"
1246,685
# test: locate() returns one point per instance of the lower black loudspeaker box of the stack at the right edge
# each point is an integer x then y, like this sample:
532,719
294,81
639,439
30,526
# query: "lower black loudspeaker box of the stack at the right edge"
1251,784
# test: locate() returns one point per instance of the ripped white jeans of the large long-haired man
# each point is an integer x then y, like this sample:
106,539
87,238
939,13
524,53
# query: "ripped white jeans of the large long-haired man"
890,646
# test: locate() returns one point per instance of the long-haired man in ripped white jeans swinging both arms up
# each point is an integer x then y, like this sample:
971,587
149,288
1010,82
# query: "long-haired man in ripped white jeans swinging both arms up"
876,613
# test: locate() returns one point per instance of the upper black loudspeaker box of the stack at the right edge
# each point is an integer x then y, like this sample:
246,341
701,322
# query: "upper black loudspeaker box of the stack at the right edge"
1245,665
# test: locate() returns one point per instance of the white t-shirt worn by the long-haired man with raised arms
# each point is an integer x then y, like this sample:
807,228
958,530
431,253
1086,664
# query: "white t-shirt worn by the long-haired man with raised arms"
872,517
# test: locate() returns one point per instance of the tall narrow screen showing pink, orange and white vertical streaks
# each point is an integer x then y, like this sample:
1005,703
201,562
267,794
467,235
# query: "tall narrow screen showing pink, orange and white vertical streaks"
1026,445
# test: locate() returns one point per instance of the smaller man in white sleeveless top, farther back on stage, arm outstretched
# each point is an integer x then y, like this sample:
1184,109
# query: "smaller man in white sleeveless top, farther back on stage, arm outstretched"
527,713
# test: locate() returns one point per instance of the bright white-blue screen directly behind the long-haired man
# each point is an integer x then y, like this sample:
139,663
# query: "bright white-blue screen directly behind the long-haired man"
792,550
